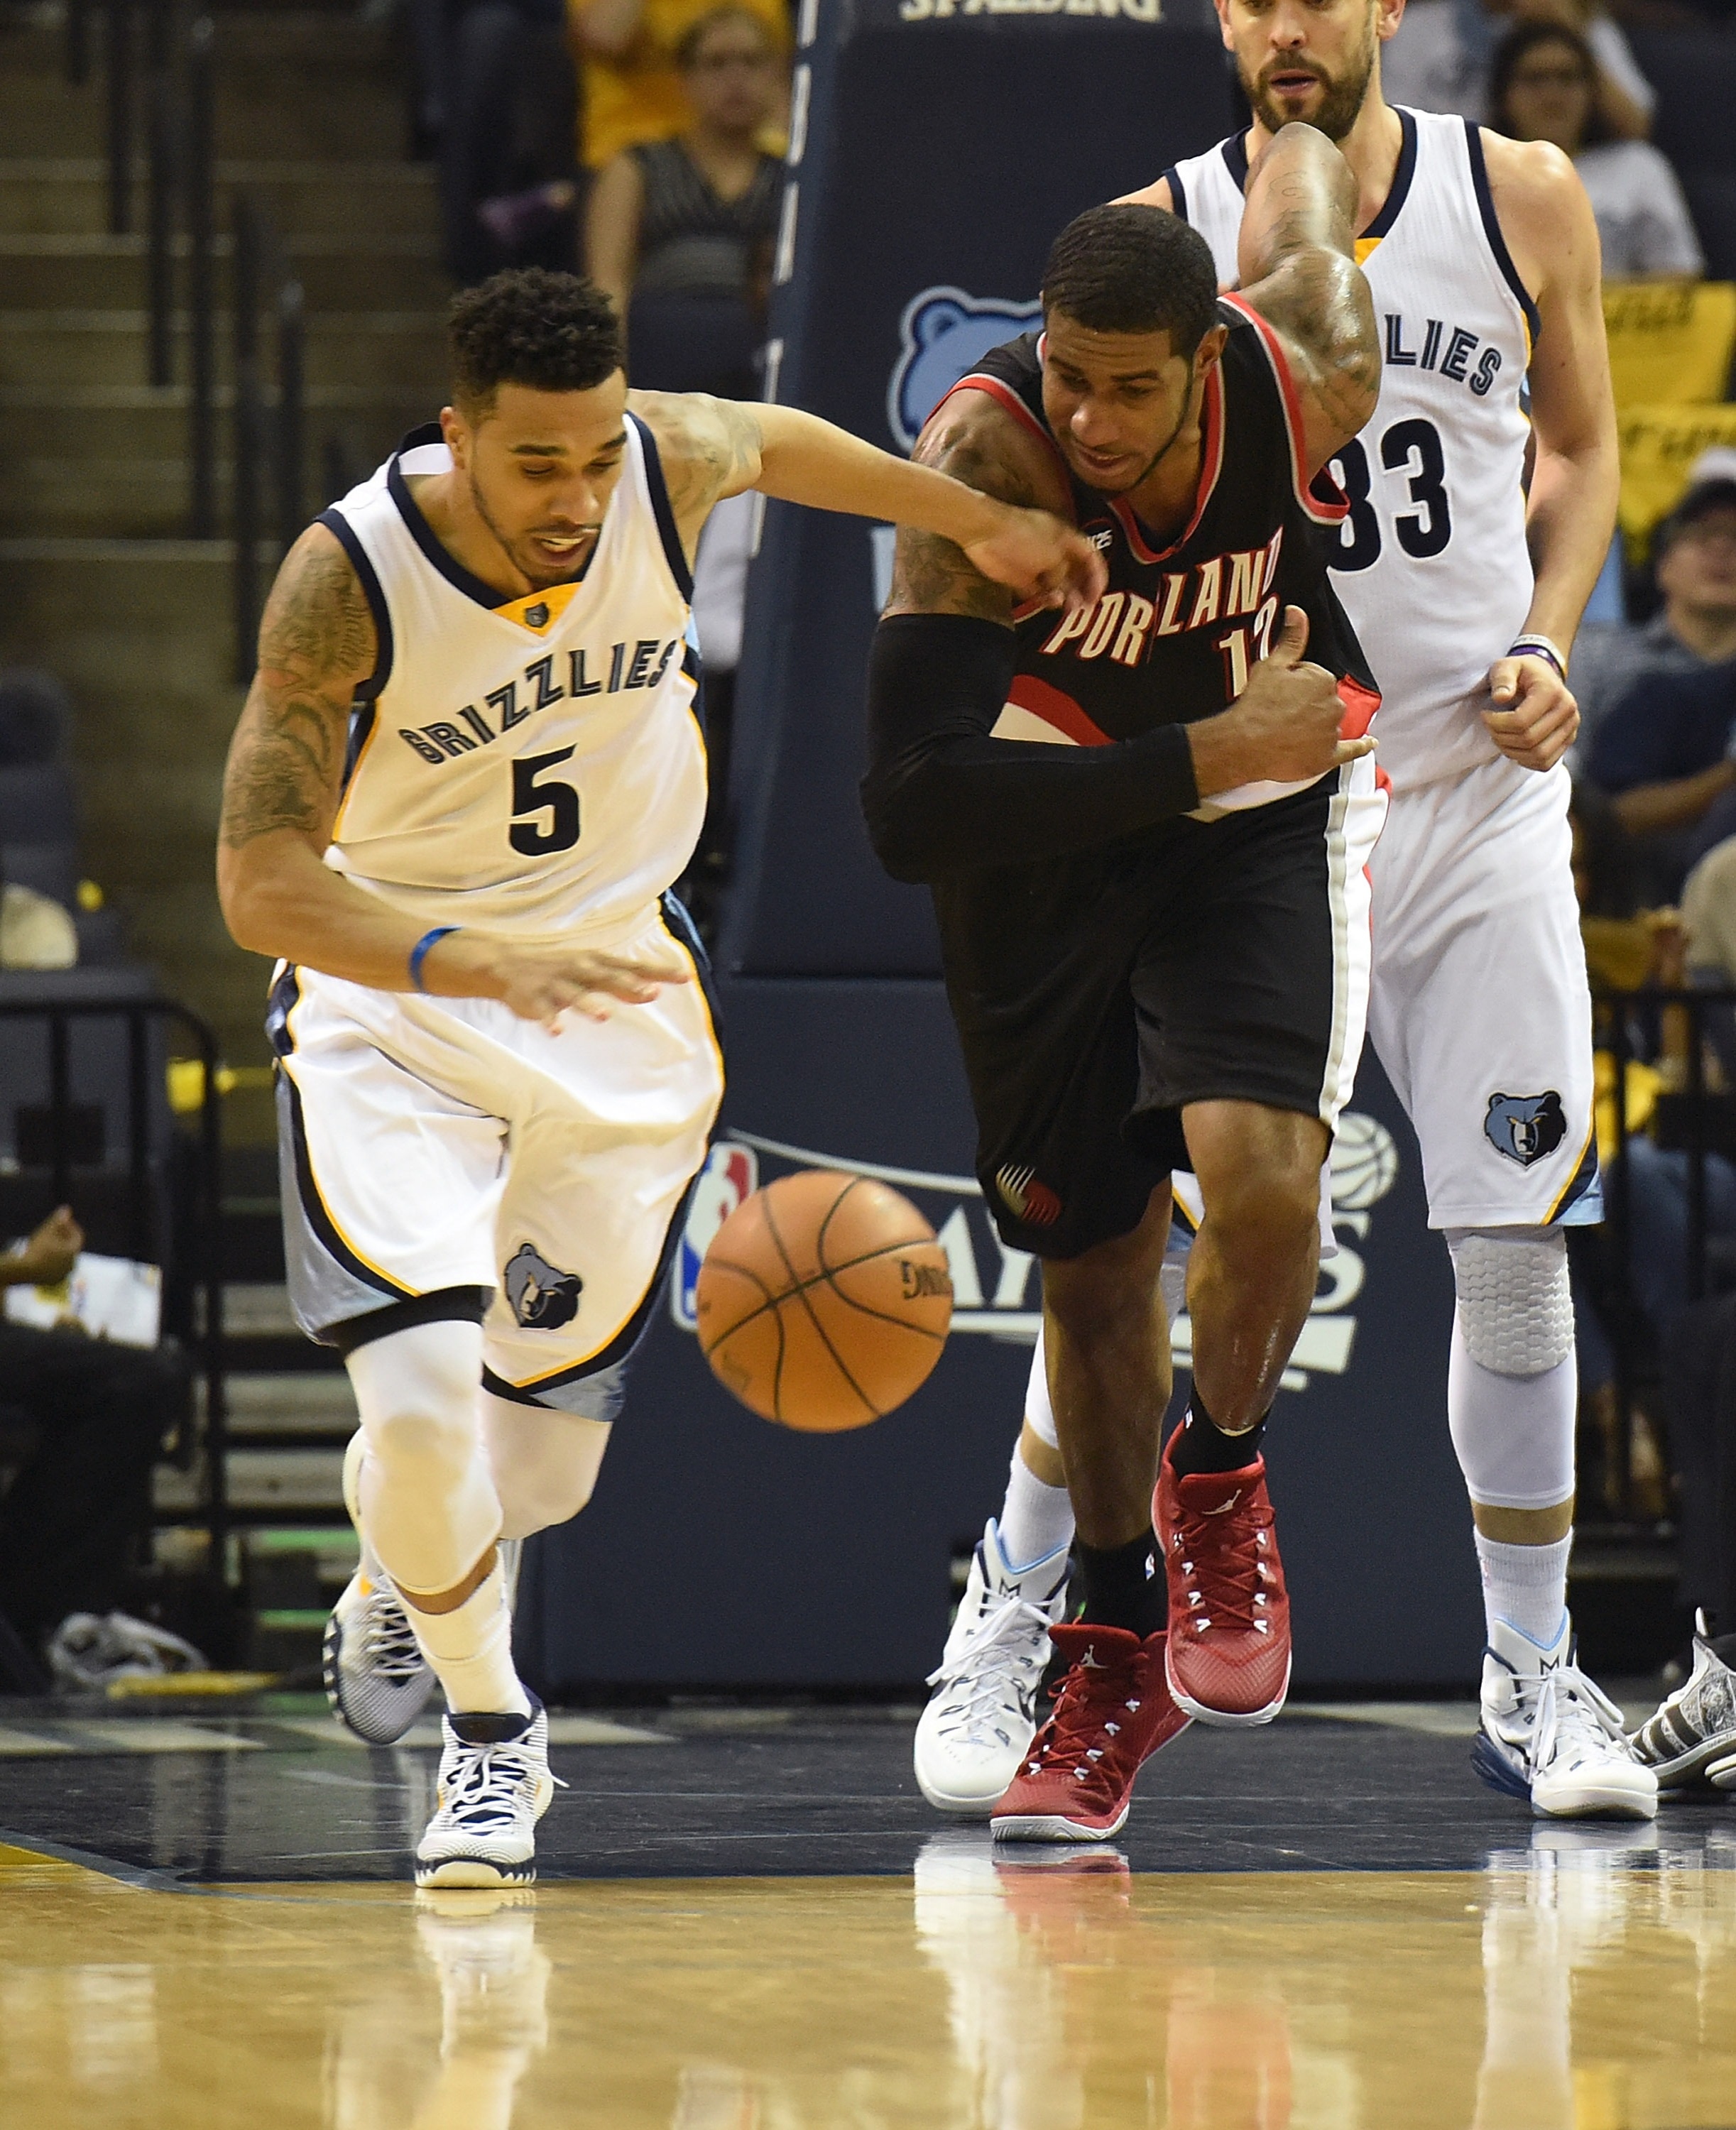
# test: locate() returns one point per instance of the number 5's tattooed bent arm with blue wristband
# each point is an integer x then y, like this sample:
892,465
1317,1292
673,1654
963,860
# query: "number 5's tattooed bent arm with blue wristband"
280,800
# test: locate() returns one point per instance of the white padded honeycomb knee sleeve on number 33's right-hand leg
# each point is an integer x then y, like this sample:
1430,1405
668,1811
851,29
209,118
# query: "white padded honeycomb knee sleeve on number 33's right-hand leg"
1511,1388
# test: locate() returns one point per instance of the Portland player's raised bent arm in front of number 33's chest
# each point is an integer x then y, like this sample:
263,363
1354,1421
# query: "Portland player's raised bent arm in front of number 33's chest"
1298,261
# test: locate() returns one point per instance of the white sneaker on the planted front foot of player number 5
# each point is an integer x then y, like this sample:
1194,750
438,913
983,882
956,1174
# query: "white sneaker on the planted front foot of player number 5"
491,1795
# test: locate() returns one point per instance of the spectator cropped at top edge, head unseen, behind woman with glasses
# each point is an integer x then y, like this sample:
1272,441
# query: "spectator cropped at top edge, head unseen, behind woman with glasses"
1441,59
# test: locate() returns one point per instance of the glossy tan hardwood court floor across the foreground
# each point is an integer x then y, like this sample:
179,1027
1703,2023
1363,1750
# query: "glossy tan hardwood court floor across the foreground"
1584,1982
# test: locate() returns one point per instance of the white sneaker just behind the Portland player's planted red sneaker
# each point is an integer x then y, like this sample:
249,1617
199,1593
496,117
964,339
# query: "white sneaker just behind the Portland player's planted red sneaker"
979,1724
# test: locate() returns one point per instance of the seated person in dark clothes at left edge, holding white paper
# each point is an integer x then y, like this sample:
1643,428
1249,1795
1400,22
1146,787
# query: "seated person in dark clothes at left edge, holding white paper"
84,1424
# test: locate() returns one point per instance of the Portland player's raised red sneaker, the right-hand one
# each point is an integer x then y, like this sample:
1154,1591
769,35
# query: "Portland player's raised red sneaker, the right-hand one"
1230,1616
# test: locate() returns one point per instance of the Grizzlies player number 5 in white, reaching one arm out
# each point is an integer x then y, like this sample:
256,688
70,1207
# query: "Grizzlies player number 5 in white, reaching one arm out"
463,783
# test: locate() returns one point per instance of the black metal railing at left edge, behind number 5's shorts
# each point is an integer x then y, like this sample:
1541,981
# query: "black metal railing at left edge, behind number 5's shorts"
189,1241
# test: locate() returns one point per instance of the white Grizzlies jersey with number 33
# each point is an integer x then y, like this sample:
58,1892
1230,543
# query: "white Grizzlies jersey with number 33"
1430,563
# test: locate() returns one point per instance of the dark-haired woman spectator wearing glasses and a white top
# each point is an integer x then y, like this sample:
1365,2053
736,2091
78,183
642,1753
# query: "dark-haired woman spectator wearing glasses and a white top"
1545,86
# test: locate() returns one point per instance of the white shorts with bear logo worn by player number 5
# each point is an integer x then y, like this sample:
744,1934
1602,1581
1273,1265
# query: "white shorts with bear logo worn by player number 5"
436,1145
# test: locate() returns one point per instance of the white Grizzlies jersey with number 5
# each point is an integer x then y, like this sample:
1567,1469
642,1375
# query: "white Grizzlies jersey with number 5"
523,764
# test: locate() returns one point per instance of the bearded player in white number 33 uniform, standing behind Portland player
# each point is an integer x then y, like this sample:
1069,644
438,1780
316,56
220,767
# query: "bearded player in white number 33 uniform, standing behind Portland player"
1464,591
